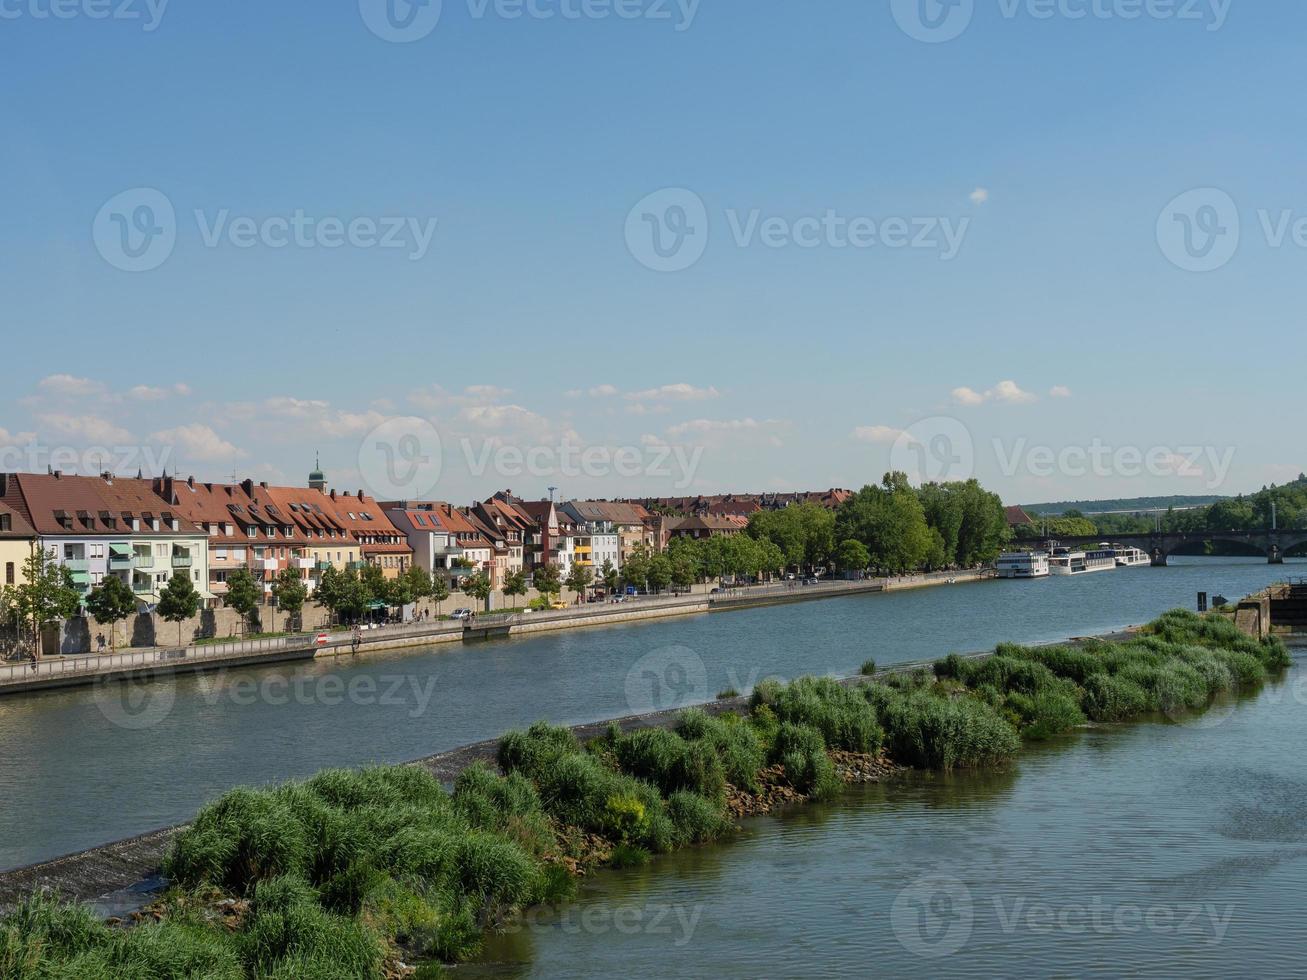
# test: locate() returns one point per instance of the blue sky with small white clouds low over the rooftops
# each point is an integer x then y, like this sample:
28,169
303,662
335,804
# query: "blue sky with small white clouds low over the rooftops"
1063,326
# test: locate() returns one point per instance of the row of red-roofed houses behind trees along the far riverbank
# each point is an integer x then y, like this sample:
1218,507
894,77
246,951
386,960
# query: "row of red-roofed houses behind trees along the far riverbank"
147,530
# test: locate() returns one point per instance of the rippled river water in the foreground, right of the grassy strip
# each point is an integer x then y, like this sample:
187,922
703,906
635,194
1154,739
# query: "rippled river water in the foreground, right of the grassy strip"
1143,850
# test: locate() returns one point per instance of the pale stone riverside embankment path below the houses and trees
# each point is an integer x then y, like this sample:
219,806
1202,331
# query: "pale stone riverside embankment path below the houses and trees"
154,662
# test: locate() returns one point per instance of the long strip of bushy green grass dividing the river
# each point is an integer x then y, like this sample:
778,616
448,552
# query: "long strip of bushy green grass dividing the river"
343,875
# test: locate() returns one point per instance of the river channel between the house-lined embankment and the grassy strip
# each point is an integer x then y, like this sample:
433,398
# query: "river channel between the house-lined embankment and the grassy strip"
86,766
